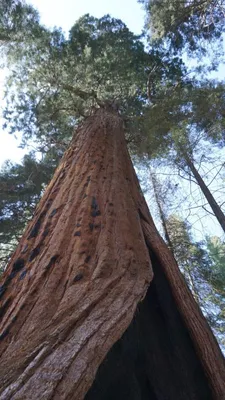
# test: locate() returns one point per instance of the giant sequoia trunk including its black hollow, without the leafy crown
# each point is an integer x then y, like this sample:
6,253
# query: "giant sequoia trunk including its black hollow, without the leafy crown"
70,293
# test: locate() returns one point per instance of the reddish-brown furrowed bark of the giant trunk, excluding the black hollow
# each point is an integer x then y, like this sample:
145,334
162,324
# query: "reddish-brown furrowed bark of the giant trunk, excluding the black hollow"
82,267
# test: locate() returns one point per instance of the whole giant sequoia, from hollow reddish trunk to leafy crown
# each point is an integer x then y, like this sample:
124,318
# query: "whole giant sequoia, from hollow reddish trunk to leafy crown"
93,304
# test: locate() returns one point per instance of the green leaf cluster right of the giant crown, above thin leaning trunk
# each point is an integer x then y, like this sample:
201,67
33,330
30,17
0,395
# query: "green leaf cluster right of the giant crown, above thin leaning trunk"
185,114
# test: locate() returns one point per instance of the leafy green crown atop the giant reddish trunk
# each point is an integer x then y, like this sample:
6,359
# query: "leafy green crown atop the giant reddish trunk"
58,81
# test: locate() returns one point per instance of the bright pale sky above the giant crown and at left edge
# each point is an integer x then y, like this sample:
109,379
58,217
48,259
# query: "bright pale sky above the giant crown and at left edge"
64,14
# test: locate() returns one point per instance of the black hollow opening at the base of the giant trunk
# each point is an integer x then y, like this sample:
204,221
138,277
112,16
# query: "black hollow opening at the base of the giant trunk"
155,358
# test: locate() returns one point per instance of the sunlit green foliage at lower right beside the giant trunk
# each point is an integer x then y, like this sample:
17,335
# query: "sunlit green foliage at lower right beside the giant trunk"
203,269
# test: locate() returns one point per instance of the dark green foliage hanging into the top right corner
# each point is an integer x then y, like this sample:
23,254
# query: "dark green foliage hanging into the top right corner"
186,24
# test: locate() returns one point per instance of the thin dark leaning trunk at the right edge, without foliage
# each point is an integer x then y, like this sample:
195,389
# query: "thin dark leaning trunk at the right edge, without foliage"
208,195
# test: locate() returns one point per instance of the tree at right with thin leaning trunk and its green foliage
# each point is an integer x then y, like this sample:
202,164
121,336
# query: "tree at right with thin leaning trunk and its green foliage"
177,125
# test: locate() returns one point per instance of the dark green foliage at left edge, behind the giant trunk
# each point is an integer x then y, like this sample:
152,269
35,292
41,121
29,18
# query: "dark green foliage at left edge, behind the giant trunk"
21,186
